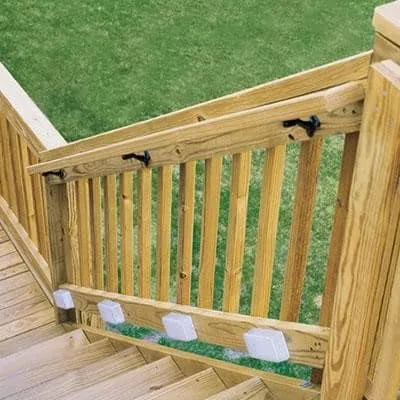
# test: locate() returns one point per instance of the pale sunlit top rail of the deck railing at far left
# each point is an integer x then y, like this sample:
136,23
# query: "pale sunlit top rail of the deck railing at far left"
26,116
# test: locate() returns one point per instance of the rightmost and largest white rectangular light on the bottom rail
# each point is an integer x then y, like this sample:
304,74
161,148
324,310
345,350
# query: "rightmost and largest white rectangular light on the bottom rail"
266,344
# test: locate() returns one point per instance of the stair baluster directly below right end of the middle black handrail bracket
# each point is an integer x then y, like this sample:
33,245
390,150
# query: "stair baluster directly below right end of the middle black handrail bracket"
144,231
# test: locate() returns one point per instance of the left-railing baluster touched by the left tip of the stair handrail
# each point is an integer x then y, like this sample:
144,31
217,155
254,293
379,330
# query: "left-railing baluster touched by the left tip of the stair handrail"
28,190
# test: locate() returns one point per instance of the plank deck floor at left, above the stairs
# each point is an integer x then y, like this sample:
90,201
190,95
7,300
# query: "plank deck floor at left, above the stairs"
23,306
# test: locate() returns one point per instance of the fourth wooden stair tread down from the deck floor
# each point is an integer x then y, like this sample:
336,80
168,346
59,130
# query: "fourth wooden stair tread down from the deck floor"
196,387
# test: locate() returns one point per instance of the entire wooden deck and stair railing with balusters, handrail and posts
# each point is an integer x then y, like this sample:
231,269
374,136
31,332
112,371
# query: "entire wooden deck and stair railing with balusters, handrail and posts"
115,203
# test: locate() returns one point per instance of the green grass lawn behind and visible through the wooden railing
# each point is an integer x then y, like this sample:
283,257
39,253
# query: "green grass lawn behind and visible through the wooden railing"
94,66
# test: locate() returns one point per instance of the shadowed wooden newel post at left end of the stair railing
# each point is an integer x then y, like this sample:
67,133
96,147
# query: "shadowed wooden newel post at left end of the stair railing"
60,200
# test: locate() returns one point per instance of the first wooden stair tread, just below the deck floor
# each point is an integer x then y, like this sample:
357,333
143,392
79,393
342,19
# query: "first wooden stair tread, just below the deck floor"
41,353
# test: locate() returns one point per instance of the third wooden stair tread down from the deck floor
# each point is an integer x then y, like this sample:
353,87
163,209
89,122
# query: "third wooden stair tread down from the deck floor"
132,384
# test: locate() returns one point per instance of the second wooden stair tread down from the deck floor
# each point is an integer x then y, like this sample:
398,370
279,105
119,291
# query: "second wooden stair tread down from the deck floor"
84,377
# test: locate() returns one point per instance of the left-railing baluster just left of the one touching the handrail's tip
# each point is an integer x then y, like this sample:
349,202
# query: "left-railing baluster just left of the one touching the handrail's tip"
18,176
